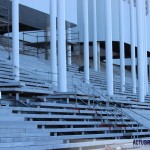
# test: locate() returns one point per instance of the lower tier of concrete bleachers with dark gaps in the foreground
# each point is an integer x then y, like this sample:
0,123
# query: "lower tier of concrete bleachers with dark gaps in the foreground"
64,122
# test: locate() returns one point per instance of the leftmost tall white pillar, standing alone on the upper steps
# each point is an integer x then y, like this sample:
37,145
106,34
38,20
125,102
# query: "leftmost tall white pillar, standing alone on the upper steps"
15,38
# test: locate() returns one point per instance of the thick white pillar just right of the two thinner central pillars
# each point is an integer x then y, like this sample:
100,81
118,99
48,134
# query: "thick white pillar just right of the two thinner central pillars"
109,61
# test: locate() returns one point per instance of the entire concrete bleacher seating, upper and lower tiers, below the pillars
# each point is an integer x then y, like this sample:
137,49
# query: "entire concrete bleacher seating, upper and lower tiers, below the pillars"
76,119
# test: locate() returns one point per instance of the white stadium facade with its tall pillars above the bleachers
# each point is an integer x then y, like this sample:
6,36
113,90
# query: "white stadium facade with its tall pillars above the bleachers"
91,21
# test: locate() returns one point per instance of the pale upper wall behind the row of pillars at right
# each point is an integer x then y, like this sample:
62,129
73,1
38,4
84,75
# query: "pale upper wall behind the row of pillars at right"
101,20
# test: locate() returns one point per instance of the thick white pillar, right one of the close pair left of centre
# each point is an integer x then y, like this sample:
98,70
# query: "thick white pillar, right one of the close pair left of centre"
62,78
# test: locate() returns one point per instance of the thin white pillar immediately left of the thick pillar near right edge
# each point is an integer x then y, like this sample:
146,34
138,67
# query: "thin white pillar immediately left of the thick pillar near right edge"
133,60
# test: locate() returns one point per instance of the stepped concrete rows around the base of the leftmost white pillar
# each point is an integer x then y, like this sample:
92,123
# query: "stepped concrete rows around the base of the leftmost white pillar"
30,82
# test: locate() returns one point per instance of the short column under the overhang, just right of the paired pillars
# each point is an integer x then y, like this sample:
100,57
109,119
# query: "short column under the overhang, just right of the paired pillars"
69,61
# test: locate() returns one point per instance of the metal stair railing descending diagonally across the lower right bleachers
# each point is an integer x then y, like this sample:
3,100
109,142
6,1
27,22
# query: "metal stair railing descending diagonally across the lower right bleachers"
122,116
